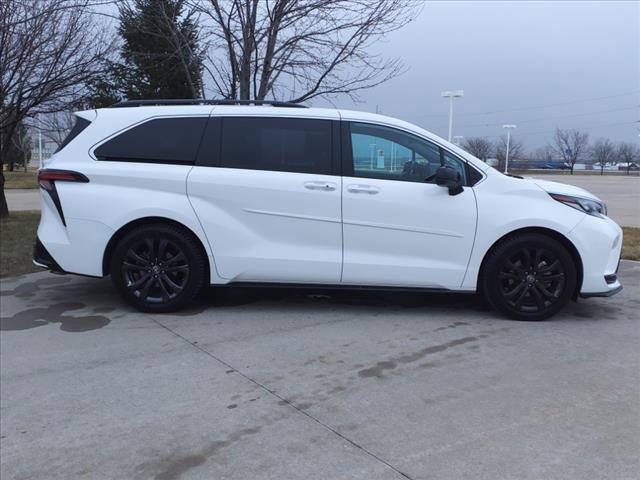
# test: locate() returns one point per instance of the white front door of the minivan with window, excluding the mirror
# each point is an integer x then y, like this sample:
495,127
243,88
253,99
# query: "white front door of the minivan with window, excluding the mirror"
399,227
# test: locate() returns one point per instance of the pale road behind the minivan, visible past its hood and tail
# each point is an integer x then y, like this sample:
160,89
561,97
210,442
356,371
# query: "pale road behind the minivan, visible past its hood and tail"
620,192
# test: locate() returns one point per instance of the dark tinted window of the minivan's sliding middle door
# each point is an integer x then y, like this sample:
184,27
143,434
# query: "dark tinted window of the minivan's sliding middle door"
278,144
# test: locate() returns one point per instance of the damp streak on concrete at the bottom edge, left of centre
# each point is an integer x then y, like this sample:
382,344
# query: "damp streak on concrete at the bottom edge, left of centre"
174,466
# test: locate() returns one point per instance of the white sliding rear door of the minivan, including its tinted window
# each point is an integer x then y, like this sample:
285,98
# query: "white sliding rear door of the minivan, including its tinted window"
266,193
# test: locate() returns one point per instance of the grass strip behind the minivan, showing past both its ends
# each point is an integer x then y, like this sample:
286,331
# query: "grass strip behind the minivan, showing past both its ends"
18,233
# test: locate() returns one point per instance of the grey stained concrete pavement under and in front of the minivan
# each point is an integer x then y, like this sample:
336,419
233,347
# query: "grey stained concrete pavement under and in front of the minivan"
281,384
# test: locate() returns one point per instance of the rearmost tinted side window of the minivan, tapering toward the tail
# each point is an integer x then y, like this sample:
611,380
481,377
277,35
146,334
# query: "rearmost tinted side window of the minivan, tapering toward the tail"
163,140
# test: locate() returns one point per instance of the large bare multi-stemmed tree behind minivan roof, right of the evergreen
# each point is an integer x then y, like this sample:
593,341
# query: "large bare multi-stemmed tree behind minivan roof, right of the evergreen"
297,50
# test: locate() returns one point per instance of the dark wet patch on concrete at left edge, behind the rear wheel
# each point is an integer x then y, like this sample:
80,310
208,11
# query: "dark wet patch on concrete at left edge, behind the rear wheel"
37,317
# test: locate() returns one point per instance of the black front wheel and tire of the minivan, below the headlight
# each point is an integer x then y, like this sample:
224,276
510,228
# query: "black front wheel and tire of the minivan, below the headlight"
529,276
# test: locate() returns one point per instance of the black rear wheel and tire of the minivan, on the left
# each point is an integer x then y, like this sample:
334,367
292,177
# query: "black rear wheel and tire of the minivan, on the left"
158,268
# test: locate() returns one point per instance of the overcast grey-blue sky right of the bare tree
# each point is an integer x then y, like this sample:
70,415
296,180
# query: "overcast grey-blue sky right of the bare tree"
509,56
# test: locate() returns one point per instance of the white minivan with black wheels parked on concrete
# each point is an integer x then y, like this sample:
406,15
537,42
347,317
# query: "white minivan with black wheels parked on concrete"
170,196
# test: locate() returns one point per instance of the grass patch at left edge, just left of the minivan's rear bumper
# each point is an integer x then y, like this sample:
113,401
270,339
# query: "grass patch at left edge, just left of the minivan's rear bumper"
17,236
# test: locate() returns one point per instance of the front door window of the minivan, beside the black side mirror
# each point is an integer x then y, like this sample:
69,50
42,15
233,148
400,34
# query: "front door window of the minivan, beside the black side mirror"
390,154
